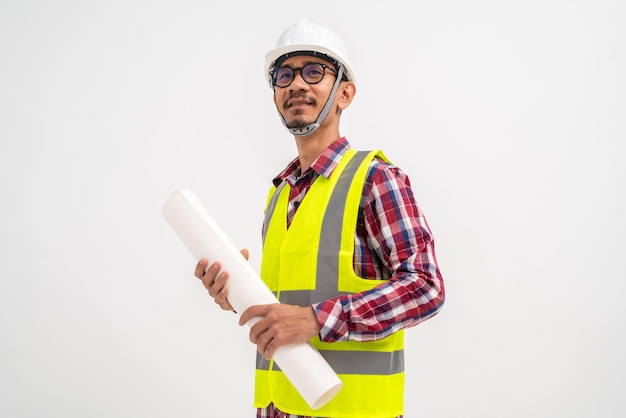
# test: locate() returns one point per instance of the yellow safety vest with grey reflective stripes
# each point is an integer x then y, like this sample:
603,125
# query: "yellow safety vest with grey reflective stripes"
313,261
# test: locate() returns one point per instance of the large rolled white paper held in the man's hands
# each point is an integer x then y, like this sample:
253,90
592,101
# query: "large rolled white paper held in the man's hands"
302,364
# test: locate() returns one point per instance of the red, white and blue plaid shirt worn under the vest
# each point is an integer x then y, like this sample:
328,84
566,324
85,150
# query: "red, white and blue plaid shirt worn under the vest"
392,242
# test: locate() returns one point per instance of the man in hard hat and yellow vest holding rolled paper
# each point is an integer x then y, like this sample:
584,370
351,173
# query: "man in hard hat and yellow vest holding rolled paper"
345,246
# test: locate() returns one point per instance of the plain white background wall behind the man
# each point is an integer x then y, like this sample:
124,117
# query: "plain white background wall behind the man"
508,117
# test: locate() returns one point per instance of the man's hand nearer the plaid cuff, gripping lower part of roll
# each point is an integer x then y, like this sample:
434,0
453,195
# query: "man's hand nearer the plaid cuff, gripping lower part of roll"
279,325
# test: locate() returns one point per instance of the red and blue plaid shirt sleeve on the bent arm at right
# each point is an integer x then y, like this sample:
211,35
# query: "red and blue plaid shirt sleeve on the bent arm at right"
399,238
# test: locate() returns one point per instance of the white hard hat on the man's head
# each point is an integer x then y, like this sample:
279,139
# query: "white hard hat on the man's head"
307,36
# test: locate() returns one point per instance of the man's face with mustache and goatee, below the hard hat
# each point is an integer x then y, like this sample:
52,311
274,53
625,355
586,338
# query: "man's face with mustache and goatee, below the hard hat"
300,103
